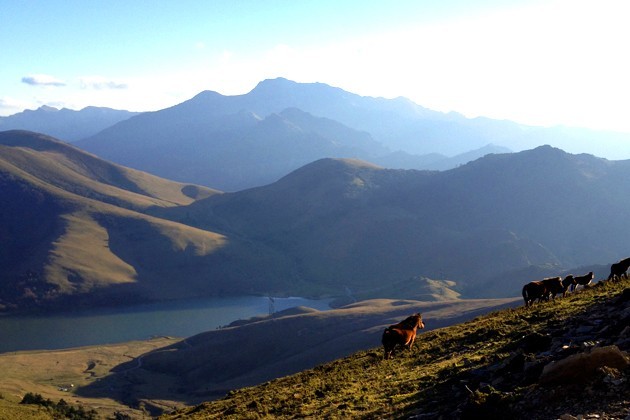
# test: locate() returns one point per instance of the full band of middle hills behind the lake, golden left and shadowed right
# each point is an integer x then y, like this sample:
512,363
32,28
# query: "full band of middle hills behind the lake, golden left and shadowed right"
80,230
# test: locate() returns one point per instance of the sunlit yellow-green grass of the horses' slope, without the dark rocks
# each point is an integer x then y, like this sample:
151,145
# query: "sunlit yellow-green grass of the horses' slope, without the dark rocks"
432,379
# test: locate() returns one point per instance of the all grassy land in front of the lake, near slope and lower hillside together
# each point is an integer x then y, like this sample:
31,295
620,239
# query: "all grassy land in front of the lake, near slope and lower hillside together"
490,367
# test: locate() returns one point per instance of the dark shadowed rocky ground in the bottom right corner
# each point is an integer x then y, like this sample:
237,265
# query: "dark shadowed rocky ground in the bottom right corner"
576,369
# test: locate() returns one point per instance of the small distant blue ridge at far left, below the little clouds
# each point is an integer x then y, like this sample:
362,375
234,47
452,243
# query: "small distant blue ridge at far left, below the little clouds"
65,124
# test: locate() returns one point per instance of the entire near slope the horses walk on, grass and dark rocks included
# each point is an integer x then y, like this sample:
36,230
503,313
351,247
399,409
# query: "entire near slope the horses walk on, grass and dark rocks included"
491,367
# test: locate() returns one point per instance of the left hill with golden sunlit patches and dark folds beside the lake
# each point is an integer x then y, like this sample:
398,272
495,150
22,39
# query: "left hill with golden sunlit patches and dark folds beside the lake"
73,231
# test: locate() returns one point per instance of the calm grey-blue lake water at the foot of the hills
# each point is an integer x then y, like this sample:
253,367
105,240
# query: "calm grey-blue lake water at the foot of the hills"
105,326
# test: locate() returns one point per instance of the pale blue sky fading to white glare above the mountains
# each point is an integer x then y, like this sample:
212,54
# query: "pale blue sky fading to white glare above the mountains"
534,62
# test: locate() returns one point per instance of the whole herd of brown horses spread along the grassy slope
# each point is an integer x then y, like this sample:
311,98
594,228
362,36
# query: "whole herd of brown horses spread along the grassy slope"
403,334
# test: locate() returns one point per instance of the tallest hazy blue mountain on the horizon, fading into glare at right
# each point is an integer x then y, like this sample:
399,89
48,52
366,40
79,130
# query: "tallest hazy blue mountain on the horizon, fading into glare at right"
242,141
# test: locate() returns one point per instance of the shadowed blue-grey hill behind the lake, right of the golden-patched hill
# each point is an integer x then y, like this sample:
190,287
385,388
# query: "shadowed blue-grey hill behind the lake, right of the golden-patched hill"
496,222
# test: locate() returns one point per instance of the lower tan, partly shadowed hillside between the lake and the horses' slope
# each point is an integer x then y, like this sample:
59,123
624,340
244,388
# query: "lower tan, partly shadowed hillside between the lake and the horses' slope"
161,374
